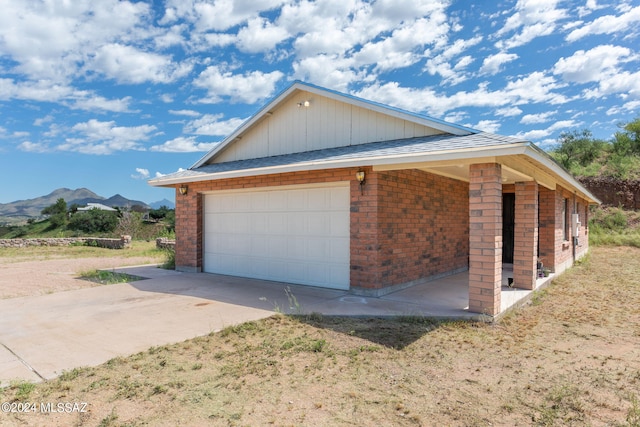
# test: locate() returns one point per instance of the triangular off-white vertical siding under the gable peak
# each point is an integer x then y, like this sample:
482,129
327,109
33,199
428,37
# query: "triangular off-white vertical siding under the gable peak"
326,123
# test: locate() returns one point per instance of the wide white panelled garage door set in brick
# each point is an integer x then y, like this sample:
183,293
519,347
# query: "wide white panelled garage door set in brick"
290,234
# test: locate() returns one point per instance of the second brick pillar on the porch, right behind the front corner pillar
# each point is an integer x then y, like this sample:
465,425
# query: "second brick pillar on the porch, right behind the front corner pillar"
525,254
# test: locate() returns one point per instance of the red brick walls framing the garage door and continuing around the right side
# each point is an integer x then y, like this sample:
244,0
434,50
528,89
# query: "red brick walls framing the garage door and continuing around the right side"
404,225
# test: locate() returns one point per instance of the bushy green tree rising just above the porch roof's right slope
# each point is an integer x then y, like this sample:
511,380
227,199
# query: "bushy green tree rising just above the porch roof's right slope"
578,147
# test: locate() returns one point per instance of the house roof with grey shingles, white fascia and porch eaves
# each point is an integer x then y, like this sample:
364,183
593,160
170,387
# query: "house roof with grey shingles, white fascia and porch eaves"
443,148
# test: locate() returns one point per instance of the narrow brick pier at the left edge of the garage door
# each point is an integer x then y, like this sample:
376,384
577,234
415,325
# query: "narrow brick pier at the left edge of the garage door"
189,231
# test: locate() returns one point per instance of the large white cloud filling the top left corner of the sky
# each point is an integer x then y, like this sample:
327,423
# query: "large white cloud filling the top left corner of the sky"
49,41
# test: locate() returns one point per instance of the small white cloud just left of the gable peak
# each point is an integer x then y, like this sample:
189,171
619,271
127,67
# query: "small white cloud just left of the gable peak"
249,87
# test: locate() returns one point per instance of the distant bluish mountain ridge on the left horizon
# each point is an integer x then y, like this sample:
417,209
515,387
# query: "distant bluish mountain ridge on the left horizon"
31,208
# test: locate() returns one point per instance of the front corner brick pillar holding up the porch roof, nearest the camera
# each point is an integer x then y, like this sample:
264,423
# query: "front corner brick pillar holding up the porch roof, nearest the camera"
485,238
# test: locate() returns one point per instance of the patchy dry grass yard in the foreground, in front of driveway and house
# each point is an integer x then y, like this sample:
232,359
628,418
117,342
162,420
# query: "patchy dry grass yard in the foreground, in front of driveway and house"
570,358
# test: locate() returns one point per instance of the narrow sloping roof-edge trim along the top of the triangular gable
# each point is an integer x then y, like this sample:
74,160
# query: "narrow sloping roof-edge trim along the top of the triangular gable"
298,86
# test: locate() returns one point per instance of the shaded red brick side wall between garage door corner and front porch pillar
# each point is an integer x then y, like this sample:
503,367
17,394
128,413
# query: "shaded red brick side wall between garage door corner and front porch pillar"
422,227
